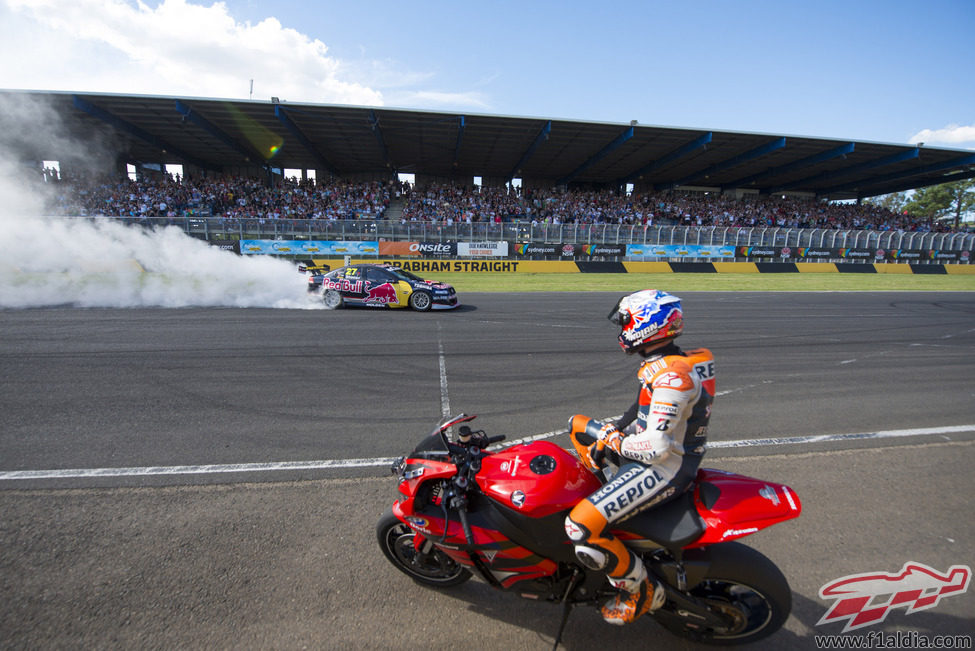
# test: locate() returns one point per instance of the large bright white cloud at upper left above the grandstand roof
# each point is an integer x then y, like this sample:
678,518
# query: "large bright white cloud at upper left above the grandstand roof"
176,48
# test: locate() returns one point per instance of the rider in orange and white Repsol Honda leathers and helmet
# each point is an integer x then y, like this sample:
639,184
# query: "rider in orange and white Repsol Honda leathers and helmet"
657,445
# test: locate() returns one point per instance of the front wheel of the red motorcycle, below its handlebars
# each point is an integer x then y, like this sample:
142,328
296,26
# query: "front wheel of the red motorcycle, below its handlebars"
436,569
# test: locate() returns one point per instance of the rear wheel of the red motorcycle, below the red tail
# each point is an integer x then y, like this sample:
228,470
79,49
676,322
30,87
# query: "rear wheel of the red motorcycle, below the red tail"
743,585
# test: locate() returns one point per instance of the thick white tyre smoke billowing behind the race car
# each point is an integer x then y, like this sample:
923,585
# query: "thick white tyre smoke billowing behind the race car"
99,262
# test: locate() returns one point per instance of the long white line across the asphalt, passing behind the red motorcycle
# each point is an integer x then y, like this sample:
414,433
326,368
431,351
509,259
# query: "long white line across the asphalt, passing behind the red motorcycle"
334,464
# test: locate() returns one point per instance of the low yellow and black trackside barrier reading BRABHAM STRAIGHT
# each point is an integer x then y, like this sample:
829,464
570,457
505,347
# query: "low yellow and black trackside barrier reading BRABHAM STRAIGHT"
432,265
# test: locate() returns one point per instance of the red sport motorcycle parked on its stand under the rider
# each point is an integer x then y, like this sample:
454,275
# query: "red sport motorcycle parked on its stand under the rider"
465,509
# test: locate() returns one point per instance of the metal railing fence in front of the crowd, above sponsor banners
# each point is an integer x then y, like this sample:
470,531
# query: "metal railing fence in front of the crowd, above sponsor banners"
216,228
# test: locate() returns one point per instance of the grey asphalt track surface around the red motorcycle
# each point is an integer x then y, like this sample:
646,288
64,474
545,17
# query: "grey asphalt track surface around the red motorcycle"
211,478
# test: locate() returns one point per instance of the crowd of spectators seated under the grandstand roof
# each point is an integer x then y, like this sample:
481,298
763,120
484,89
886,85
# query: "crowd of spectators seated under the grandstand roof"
240,198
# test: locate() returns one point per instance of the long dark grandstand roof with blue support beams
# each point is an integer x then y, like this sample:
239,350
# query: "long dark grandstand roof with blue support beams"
352,140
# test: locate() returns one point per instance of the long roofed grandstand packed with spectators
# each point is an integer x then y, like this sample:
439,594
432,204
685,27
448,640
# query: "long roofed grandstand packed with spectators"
475,176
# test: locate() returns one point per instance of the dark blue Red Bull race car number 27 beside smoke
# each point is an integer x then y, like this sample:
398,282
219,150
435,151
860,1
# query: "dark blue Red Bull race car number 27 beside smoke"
380,285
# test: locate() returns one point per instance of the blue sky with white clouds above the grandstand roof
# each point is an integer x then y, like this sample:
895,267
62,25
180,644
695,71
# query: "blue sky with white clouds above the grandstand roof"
887,71
